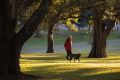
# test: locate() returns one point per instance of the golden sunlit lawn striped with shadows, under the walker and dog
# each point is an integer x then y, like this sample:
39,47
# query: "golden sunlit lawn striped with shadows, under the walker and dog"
55,67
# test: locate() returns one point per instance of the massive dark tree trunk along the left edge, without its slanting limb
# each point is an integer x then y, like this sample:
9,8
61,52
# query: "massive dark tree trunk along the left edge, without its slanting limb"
9,61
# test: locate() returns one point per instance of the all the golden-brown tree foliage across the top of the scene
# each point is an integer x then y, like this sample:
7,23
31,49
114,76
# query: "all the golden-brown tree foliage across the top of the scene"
84,8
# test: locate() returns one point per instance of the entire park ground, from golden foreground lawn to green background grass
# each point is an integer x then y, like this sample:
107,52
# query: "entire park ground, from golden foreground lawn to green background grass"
54,66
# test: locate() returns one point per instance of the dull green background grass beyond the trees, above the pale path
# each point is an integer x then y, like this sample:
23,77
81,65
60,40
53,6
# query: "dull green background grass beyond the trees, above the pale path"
59,39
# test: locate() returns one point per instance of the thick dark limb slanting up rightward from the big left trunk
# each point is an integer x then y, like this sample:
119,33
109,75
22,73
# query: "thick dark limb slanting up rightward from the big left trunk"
30,26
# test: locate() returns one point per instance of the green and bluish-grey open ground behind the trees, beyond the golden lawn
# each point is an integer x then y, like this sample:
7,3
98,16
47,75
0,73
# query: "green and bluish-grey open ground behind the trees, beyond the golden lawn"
81,42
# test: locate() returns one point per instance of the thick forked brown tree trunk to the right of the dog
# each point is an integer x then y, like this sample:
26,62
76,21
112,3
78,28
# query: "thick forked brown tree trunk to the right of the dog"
100,35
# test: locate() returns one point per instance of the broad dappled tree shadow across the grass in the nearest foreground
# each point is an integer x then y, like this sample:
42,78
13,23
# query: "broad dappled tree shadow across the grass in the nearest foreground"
50,72
